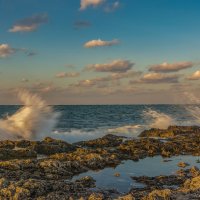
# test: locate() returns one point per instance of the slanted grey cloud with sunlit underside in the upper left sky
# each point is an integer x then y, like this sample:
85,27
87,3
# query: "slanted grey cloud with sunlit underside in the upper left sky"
29,24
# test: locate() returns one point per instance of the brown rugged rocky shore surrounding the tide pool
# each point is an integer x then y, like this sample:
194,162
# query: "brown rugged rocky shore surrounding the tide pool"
44,169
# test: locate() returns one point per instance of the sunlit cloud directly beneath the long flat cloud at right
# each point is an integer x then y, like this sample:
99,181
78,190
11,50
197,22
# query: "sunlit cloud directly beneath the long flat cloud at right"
157,78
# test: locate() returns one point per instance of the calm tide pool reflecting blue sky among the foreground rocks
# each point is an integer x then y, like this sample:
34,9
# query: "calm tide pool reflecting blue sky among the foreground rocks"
106,179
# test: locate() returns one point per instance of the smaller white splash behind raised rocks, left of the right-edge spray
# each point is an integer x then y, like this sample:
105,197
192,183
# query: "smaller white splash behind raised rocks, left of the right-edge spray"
158,119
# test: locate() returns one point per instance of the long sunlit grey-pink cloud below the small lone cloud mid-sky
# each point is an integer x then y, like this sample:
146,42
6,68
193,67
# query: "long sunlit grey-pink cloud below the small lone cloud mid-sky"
114,66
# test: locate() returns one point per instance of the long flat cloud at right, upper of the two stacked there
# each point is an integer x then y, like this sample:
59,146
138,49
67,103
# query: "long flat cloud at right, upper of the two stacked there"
174,67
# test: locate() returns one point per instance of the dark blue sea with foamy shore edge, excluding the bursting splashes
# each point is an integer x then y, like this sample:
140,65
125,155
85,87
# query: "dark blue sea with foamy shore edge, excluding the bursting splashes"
87,122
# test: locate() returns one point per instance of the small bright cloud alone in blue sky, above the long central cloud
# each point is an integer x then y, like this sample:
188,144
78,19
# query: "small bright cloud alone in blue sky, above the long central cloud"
100,43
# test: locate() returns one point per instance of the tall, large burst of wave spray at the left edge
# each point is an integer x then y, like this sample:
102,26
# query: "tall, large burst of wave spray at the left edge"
33,121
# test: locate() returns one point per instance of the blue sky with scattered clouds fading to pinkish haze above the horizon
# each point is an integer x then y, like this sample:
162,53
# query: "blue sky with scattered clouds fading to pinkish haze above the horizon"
100,51
